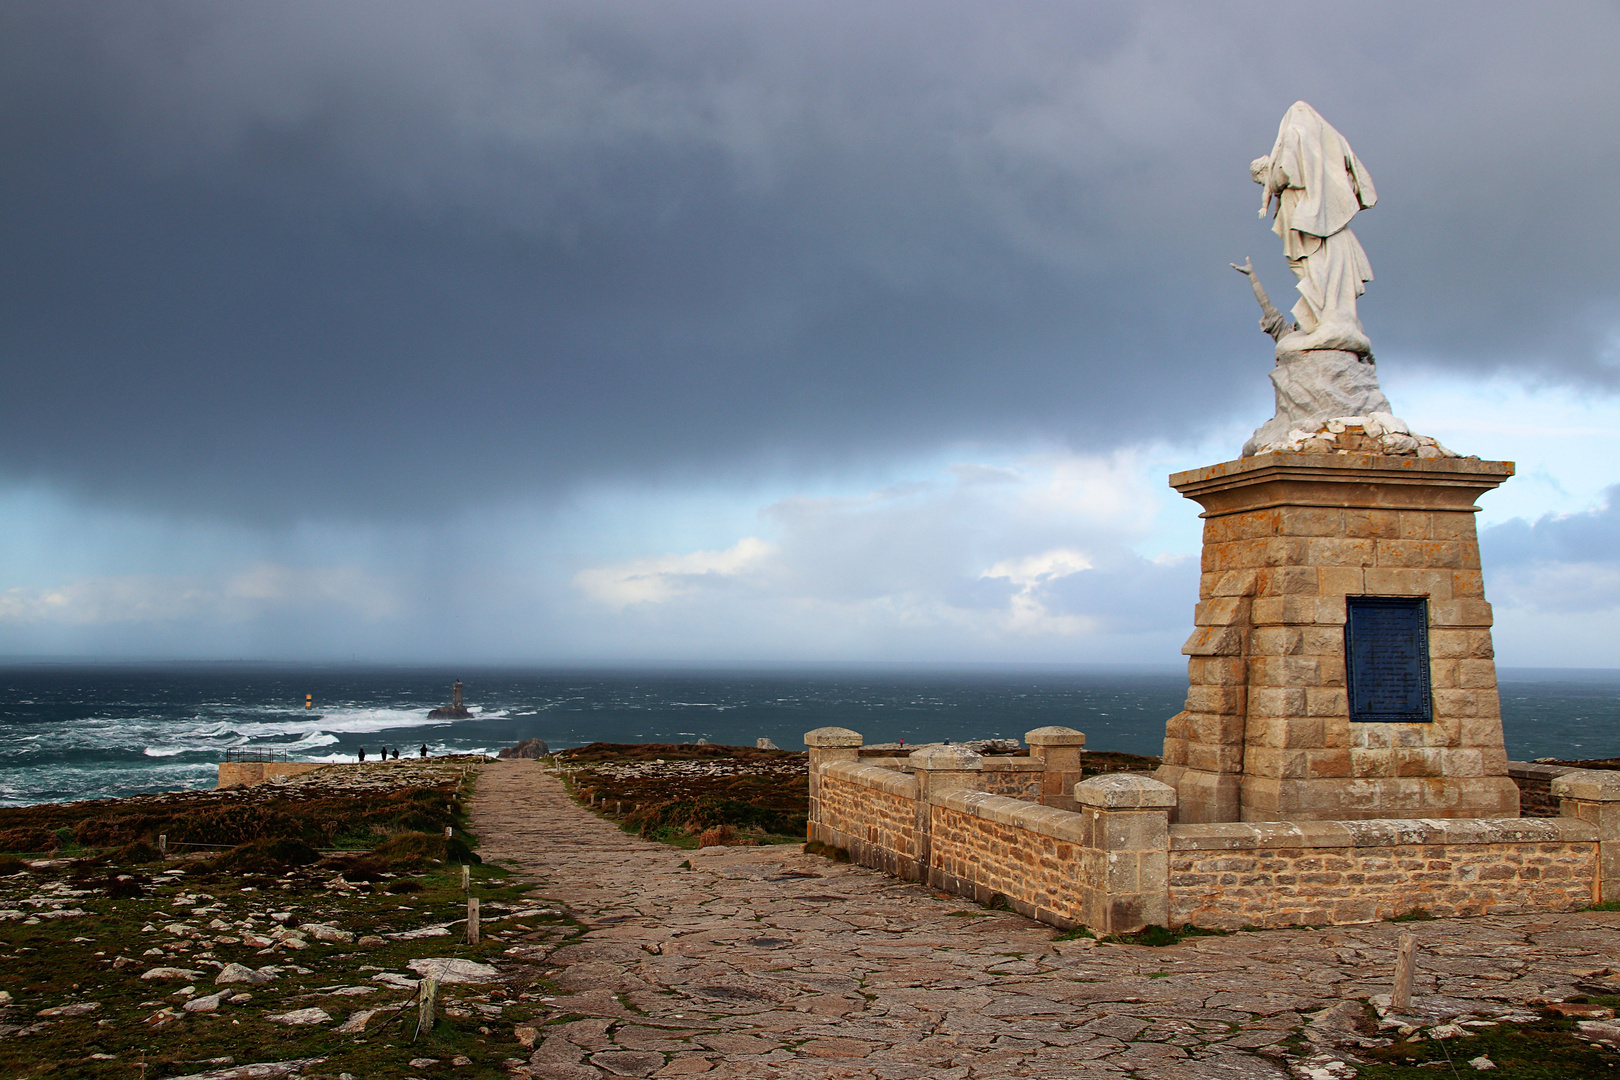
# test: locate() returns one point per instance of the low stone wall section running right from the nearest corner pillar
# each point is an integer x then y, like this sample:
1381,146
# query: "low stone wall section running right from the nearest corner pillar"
1318,874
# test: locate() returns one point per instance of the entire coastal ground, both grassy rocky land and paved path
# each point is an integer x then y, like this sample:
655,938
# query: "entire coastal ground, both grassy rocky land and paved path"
616,942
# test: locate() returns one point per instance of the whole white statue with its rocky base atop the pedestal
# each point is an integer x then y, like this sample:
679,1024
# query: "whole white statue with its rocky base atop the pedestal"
1326,380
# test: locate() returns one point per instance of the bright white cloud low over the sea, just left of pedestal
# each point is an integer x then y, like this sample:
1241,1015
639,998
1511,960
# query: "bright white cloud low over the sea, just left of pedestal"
902,568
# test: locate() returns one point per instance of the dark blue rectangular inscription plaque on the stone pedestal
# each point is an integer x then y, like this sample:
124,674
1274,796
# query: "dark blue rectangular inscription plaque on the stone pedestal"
1388,660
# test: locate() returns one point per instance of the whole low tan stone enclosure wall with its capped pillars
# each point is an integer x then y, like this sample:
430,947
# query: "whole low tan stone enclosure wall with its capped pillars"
1117,864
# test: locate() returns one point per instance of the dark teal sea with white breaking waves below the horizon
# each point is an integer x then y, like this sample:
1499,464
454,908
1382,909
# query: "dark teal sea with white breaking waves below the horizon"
72,733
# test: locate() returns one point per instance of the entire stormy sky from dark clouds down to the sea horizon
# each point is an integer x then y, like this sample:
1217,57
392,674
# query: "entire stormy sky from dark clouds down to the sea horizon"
756,333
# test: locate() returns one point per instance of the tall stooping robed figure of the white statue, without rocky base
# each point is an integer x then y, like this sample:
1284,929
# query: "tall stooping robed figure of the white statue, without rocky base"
1321,185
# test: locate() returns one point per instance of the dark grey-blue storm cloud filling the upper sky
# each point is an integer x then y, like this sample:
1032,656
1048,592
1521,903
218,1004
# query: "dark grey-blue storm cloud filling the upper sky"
278,260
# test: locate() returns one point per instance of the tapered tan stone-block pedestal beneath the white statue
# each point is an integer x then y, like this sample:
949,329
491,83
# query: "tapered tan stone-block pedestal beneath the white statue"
1268,733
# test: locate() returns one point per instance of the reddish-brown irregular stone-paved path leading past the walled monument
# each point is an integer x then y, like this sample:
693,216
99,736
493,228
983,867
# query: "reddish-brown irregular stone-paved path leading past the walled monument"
767,963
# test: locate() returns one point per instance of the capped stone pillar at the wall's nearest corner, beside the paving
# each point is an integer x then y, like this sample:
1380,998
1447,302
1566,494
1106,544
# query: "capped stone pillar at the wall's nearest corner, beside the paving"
1127,861
